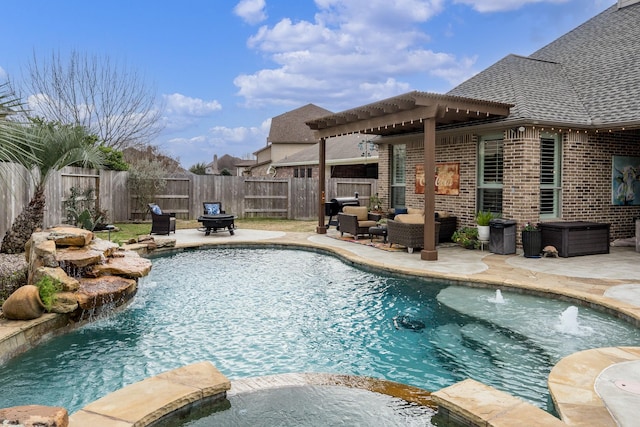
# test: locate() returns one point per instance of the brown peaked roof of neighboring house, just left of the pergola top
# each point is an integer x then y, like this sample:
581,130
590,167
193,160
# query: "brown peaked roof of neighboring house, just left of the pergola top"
290,126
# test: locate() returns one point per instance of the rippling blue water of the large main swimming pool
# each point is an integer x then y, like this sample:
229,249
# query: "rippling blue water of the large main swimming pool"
254,312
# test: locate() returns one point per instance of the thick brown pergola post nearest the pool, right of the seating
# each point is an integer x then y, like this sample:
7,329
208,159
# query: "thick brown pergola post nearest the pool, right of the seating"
429,252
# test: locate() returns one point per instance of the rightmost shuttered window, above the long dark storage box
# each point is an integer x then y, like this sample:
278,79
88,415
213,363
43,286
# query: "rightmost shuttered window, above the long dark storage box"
550,180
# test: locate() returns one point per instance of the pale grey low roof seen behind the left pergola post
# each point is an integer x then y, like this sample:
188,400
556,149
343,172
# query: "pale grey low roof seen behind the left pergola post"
346,149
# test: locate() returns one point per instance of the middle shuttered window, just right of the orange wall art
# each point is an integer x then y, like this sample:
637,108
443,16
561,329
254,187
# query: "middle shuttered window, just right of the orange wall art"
490,173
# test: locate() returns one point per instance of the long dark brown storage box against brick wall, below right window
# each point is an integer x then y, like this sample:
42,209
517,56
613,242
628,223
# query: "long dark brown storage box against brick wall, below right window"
574,238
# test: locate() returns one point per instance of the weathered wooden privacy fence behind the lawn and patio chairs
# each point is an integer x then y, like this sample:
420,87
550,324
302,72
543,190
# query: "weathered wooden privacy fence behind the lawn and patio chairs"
292,198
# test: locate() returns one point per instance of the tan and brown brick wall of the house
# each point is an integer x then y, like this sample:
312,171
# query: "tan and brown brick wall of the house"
586,176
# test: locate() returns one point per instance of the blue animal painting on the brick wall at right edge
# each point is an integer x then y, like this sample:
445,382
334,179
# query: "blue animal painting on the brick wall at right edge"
625,181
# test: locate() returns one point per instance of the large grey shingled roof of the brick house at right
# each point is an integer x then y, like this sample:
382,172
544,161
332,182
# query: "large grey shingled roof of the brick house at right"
587,77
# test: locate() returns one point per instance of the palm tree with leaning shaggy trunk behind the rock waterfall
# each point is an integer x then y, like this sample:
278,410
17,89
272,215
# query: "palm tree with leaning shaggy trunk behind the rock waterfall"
62,145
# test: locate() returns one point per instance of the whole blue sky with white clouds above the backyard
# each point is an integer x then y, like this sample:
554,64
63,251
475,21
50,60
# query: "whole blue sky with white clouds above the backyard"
224,68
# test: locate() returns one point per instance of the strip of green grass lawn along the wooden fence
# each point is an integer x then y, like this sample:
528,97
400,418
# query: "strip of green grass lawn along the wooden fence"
129,231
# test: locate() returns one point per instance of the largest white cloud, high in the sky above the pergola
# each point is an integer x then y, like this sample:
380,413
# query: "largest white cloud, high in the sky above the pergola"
350,51
